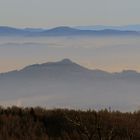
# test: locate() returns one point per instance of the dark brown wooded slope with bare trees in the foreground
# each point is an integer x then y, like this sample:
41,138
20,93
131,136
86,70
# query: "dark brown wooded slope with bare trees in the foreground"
40,124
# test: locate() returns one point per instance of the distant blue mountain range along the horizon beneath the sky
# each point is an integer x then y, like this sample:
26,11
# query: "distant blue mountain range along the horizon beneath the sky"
69,31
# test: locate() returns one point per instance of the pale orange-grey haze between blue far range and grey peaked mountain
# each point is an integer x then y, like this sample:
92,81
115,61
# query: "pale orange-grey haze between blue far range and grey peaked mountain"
106,53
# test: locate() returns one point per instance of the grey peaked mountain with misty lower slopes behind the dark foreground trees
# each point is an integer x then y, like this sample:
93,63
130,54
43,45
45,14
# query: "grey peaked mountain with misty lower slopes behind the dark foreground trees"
68,84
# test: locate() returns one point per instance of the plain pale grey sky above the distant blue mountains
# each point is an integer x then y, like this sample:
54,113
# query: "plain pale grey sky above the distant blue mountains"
50,13
